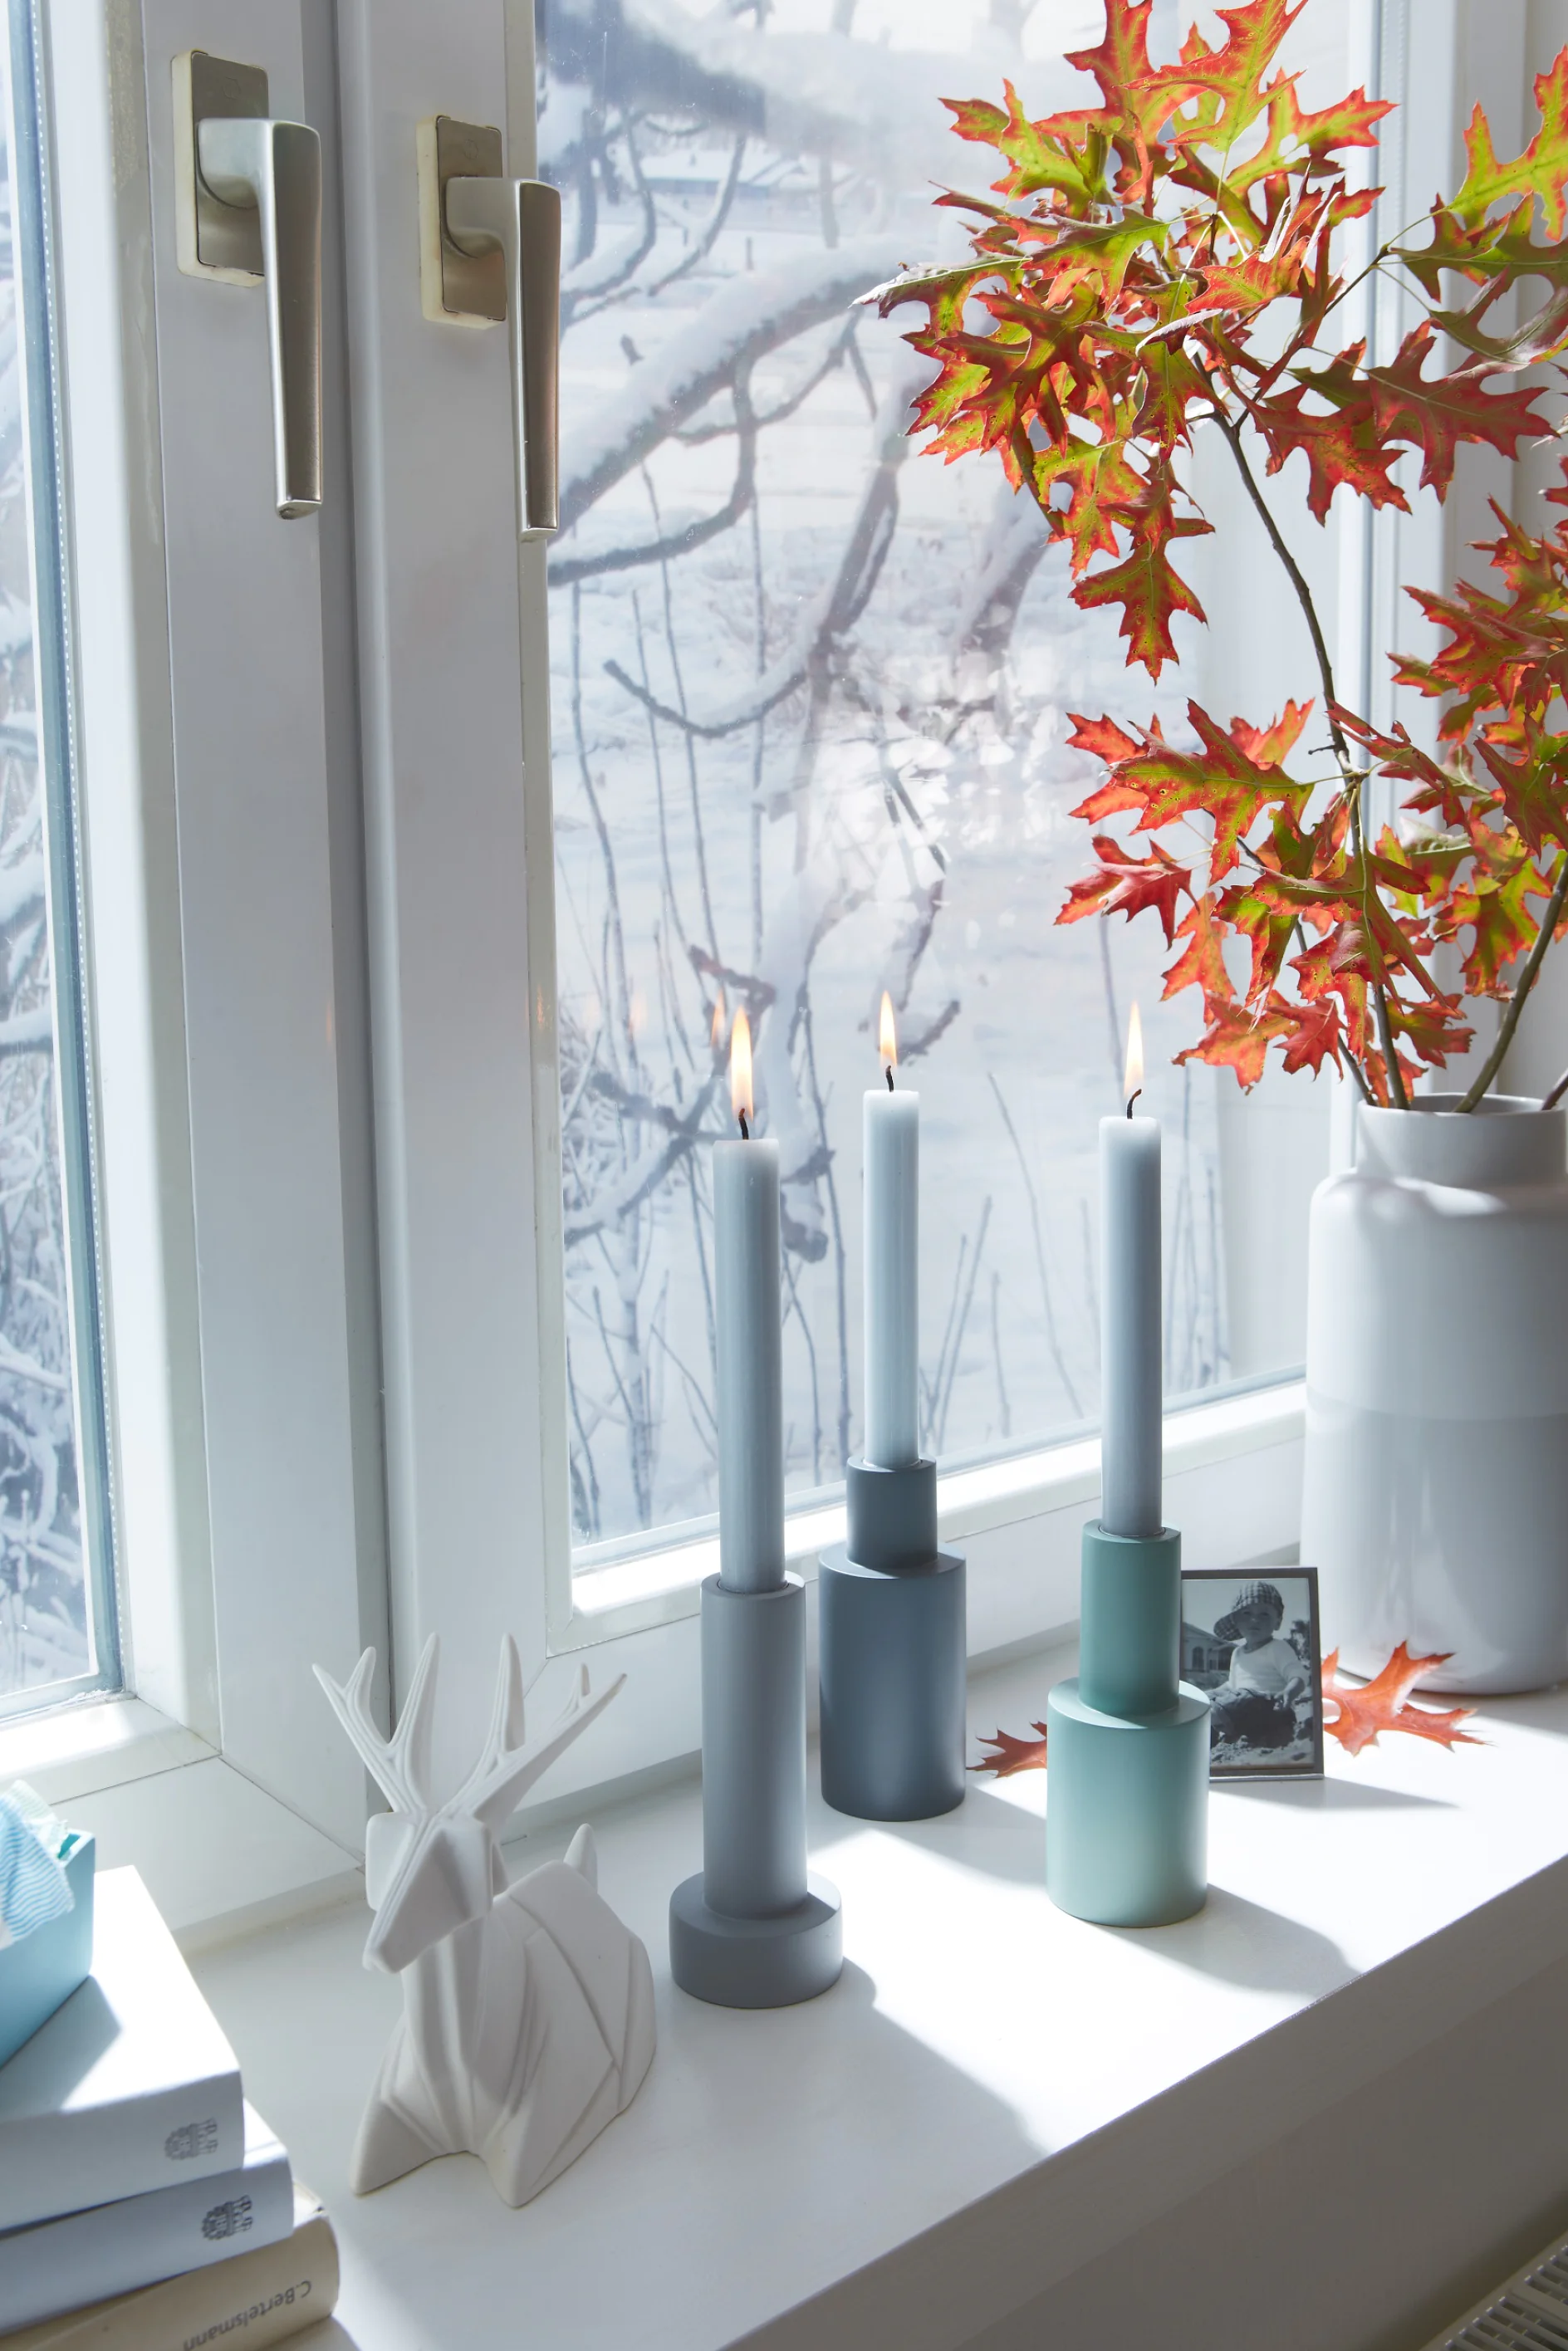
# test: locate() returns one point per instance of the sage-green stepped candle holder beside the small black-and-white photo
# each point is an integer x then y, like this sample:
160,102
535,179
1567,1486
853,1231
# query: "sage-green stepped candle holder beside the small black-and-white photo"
1127,1781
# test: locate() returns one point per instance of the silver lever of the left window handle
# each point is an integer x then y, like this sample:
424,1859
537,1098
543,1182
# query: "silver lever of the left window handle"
276,170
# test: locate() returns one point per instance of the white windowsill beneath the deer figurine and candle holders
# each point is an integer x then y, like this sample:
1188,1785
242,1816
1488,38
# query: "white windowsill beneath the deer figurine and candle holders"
998,2101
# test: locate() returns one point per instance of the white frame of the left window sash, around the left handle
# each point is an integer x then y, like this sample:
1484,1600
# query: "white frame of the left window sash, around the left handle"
220,793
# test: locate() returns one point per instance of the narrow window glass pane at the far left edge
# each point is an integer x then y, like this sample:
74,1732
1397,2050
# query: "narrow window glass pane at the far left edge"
58,1633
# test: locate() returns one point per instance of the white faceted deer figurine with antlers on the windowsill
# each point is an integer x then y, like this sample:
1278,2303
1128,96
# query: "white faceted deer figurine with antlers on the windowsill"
528,2011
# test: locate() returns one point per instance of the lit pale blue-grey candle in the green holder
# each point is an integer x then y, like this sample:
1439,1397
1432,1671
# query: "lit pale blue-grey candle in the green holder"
1130,1313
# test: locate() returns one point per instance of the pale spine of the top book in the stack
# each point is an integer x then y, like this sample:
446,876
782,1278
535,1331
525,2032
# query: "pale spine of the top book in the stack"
100,2155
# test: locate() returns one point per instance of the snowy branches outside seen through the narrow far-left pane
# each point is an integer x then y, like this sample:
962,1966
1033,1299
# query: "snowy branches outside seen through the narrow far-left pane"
43,1588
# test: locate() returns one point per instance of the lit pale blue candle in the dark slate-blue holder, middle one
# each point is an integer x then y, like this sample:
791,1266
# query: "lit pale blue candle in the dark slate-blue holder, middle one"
892,1266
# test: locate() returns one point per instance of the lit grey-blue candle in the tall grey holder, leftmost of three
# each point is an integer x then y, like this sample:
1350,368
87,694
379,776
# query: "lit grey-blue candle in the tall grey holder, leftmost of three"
749,1332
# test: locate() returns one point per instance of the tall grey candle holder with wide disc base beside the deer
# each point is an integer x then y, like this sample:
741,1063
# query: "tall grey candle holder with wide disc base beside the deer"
753,1929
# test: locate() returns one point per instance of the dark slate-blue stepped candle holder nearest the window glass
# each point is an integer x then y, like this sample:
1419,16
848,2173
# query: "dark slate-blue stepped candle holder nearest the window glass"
892,1654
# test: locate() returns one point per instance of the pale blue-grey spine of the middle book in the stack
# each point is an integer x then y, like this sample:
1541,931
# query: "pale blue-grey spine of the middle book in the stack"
114,2249
